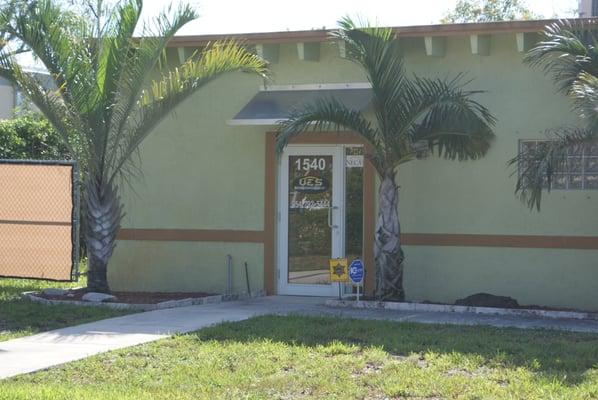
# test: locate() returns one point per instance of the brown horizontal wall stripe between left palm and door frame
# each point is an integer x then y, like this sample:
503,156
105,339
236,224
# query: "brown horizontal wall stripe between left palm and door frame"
192,235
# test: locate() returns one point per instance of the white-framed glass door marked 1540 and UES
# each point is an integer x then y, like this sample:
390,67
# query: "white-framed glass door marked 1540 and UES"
311,219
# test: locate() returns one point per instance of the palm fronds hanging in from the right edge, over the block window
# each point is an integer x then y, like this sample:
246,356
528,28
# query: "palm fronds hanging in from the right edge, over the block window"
568,52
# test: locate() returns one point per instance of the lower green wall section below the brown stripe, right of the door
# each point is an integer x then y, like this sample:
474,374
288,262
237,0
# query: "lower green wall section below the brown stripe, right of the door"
556,278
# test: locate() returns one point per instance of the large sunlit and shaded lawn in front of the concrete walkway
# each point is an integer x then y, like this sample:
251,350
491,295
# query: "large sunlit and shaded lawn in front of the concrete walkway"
309,357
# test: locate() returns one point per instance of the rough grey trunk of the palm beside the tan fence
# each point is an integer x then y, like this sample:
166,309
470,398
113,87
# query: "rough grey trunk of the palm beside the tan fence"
103,216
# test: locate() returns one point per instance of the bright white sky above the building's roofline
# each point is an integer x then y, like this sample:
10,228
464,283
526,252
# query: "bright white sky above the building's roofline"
244,16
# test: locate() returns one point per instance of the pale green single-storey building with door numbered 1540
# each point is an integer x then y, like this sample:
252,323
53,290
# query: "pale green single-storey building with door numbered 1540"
214,186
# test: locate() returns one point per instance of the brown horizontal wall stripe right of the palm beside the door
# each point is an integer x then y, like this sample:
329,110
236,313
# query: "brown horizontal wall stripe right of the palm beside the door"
523,241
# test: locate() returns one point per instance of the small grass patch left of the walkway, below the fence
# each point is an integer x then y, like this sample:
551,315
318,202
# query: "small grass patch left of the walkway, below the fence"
19,317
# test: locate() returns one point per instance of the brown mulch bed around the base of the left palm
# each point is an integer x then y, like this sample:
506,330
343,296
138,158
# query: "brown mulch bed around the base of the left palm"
130,297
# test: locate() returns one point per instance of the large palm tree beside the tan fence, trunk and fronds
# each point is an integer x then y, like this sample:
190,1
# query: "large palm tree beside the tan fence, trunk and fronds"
112,91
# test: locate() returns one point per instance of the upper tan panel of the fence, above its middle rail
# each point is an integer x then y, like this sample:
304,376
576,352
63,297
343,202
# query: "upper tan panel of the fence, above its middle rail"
35,192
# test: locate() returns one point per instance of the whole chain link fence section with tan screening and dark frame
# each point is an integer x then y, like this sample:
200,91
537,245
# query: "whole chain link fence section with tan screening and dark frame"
39,220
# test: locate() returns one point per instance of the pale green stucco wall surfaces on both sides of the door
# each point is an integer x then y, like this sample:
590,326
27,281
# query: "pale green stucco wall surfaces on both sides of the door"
199,173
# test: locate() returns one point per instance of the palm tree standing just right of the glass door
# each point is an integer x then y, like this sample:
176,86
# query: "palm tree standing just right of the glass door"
407,111
